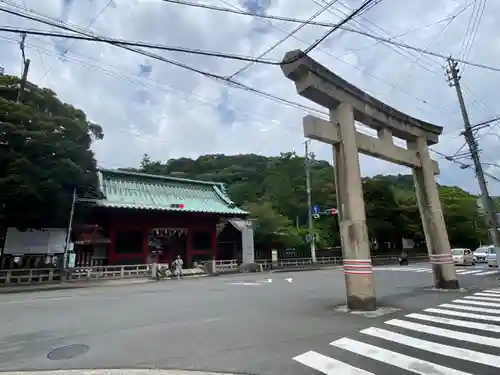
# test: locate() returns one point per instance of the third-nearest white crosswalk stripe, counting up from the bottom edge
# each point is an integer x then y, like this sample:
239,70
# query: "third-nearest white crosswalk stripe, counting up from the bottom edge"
429,346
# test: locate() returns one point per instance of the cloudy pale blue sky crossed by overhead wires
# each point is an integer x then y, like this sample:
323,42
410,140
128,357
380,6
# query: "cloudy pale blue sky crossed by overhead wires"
149,106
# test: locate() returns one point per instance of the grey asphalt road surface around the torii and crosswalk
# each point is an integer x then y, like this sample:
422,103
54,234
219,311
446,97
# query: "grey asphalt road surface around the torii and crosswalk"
240,323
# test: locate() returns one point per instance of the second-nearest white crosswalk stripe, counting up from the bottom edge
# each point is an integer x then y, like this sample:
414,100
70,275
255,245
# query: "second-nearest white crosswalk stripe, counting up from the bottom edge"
415,365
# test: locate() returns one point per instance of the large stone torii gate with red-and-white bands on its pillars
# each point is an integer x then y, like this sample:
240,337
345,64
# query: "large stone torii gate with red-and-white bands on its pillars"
347,104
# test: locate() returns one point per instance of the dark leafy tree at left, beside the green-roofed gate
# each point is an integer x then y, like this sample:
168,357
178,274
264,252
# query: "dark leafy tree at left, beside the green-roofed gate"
44,155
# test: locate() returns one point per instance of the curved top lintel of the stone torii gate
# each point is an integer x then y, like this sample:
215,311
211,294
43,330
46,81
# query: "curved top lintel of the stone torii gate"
322,86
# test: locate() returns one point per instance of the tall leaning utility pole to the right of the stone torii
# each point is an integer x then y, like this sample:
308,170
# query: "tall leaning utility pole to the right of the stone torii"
489,207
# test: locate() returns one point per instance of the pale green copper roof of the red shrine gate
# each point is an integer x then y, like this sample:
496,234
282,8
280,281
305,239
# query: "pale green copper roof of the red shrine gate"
123,189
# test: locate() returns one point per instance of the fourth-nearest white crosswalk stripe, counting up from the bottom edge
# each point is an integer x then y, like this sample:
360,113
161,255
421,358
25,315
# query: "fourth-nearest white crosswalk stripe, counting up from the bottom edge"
456,335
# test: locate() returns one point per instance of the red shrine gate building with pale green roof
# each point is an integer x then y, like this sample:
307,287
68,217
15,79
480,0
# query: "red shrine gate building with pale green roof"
146,218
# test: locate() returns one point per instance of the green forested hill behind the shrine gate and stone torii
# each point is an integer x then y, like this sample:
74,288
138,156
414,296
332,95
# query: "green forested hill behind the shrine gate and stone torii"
273,189
